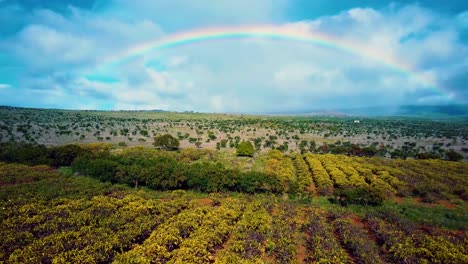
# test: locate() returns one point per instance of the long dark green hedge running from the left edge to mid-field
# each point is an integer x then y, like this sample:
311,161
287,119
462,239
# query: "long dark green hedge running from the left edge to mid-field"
157,170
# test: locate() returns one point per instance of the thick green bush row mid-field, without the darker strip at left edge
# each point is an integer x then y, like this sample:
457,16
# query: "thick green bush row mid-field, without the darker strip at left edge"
166,173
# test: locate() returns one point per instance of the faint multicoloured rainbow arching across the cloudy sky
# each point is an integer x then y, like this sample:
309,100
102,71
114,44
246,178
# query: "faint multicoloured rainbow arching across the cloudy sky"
286,32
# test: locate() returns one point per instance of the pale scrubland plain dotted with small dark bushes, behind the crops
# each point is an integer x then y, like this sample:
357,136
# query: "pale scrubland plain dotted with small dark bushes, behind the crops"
396,137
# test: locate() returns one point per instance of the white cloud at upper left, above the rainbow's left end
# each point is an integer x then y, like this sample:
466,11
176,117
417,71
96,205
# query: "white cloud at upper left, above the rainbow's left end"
52,41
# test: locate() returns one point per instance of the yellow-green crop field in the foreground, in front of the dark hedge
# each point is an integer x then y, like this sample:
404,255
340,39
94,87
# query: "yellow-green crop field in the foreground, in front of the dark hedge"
53,216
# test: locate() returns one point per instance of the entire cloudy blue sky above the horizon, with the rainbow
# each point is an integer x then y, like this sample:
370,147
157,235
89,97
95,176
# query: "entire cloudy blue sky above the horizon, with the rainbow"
97,54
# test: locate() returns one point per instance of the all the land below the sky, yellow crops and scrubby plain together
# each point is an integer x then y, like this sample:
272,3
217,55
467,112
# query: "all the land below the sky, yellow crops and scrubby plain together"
101,201
